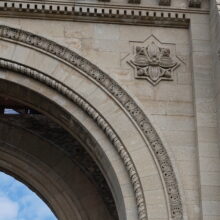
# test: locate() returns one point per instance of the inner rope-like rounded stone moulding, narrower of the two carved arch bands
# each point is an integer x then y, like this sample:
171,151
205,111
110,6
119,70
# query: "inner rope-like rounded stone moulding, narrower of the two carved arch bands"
100,121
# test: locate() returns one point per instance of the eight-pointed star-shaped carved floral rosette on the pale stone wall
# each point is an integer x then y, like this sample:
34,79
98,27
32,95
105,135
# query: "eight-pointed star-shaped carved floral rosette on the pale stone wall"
153,62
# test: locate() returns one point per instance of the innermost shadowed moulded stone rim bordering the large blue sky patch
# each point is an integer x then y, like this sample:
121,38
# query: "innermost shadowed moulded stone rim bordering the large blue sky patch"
7,167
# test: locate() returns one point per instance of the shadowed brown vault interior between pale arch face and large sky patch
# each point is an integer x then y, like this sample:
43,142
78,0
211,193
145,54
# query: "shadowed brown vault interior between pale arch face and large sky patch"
42,122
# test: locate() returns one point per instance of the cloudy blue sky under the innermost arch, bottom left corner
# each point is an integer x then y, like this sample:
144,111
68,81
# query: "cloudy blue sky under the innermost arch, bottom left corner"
17,202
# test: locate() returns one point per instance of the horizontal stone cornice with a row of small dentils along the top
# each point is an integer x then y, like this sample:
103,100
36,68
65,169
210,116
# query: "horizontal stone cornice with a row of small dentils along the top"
158,16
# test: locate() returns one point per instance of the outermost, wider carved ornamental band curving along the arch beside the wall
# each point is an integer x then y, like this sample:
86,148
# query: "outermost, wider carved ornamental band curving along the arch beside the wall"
122,97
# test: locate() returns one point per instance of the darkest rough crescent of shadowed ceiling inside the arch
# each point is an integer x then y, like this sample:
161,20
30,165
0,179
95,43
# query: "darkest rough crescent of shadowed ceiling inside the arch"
54,134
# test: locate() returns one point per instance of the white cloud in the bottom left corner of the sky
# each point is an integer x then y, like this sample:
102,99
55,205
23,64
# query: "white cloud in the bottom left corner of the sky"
8,209
